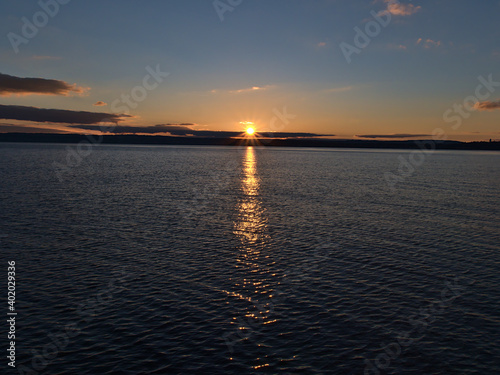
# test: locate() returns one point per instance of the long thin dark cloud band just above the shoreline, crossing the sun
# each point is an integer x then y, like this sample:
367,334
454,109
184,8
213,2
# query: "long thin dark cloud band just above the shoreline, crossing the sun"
185,129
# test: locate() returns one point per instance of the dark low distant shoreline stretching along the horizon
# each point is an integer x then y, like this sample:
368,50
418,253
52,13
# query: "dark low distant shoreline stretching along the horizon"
267,142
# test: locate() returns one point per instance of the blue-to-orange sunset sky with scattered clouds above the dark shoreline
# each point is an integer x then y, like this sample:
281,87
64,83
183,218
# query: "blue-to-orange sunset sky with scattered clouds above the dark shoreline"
380,69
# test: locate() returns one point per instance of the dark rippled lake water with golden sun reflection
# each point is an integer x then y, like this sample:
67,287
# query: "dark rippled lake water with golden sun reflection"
220,260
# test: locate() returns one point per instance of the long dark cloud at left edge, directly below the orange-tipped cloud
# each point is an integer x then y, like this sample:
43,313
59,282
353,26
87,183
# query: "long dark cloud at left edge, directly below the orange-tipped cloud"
16,112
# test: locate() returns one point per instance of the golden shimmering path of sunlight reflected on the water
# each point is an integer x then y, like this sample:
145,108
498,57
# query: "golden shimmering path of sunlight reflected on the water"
252,259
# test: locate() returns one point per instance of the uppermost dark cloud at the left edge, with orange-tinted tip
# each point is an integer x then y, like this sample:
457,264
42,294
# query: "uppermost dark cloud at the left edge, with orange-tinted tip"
10,85
